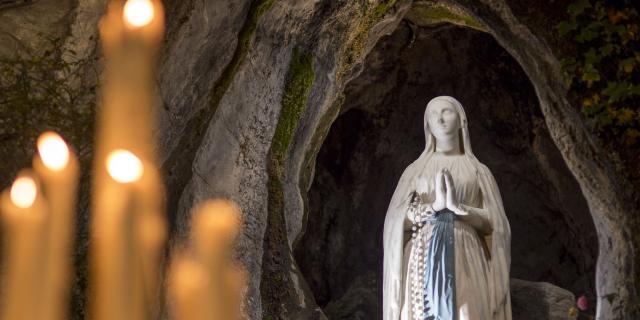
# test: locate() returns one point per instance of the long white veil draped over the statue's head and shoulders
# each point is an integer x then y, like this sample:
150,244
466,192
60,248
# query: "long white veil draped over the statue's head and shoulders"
499,242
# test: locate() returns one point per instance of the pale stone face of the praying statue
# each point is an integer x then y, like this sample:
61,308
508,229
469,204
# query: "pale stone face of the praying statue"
443,119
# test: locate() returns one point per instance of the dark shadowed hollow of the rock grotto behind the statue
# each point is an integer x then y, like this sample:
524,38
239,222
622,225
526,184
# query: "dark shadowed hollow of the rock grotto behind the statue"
379,132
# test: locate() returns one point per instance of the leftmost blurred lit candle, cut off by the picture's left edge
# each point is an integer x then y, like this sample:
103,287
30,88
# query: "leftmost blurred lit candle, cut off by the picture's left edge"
23,216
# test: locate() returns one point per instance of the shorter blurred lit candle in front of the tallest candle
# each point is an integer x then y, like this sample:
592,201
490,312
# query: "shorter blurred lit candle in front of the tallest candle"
131,233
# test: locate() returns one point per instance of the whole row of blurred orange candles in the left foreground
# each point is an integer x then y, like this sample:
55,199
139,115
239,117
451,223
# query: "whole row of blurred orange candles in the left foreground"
128,228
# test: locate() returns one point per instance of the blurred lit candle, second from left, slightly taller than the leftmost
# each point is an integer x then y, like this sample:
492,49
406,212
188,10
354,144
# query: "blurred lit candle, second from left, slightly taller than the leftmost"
58,169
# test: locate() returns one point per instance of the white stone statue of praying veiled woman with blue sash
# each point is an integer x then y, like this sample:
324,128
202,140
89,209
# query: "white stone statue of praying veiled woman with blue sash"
446,236
